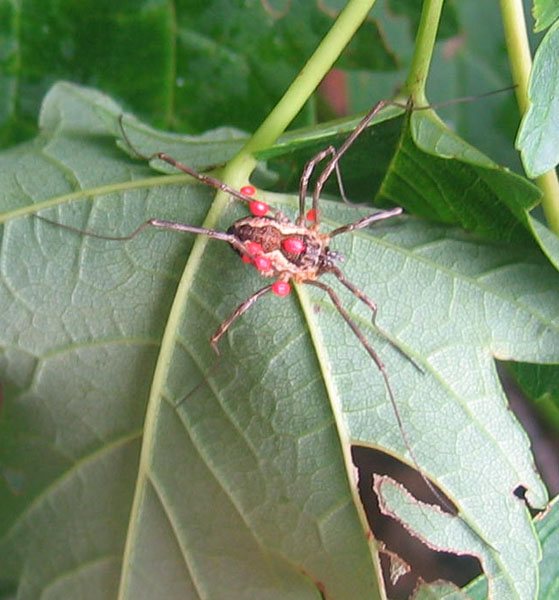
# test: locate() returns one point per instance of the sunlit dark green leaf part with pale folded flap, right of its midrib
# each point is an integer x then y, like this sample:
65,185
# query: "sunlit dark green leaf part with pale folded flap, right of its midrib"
456,183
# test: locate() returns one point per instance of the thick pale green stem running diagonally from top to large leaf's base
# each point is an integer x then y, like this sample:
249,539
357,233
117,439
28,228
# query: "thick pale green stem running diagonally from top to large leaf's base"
301,89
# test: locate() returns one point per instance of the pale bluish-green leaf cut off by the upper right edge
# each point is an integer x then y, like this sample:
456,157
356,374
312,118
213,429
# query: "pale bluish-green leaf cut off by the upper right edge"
538,138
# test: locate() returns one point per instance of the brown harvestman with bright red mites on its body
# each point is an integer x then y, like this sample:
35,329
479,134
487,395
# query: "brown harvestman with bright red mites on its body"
289,250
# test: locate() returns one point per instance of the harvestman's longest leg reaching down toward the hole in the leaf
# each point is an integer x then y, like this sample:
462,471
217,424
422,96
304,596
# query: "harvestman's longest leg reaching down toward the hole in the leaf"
337,303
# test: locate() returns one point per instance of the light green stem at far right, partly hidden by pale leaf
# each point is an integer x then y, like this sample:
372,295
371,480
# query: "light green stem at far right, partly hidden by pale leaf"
520,60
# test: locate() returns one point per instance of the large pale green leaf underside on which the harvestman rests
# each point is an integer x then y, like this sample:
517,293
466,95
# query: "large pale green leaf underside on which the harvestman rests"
246,488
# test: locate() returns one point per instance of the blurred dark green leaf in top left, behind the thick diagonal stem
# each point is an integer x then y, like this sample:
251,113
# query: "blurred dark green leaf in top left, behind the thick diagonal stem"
235,58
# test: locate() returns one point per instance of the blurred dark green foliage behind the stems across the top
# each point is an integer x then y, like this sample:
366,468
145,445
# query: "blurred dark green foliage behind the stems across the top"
190,66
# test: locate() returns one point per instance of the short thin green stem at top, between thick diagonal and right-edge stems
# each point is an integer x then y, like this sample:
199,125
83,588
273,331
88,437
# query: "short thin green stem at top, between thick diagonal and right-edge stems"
423,51
